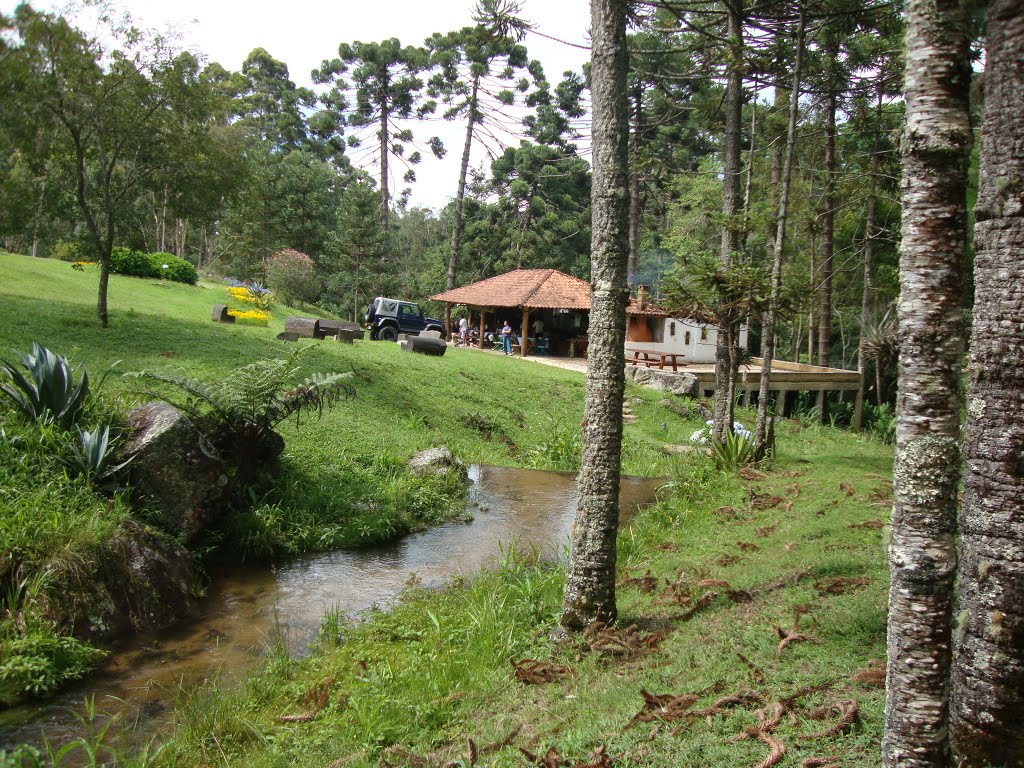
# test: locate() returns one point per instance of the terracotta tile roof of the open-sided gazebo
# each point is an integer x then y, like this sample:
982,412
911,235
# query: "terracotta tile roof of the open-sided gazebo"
547,289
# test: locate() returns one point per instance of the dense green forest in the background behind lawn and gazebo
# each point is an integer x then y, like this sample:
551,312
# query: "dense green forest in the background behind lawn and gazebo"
119,140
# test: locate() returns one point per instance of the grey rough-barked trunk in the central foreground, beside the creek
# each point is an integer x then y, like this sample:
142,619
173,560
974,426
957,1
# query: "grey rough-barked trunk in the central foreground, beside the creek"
590,588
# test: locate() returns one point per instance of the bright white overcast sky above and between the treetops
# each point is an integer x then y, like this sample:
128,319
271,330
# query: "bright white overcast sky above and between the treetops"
304,33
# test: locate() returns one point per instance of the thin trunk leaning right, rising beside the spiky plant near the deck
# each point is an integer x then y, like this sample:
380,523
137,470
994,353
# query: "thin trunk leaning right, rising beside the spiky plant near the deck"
762,434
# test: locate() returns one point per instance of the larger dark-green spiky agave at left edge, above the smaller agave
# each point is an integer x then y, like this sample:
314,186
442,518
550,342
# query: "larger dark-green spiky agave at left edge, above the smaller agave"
48,393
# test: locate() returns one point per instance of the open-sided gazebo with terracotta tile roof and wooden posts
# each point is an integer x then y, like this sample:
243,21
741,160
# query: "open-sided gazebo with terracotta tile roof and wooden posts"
560,304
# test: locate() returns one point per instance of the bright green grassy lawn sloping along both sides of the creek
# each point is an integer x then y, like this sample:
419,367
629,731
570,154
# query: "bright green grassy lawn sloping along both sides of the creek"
709,576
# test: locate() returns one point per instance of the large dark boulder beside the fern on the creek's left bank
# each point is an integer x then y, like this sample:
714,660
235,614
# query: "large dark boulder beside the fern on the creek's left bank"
176,471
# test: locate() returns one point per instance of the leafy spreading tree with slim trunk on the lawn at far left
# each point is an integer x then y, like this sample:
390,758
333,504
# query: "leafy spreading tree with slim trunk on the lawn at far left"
114,112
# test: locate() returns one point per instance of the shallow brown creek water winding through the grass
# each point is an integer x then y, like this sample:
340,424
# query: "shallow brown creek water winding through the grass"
248,609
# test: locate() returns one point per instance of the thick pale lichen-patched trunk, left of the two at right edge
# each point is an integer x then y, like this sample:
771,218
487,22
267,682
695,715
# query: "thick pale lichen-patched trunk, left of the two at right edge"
922,554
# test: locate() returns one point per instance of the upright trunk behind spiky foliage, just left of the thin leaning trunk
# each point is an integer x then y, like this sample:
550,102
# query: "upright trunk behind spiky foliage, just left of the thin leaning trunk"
726,374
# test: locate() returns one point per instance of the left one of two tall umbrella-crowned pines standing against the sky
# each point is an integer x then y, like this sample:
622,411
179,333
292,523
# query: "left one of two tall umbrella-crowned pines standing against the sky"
386,87
